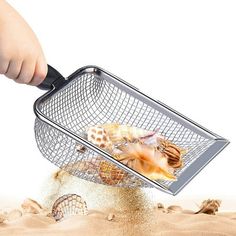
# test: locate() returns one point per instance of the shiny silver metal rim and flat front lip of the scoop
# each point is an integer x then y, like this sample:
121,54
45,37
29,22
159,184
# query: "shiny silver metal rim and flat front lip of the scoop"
219,144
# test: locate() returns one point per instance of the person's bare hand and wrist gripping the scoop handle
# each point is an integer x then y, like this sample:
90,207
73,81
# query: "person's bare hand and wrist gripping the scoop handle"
21,56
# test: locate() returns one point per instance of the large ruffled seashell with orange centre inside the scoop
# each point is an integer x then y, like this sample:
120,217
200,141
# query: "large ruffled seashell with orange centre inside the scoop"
146,160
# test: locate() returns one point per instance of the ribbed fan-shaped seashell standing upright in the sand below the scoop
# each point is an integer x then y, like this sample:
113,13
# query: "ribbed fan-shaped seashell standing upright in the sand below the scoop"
69,205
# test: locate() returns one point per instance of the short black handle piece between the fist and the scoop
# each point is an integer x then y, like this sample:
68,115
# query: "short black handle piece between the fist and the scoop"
51,77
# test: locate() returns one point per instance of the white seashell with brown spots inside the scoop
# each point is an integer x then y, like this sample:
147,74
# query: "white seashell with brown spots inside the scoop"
98,136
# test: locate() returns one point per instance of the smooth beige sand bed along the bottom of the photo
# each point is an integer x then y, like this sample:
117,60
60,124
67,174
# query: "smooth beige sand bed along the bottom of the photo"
137,223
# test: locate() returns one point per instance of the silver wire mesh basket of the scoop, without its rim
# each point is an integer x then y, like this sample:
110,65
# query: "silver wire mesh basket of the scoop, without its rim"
90,100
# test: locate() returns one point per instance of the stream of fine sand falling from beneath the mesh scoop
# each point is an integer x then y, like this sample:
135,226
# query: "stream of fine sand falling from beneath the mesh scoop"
97,195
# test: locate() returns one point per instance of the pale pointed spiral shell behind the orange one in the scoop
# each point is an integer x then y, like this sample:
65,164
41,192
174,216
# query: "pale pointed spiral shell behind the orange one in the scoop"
124,133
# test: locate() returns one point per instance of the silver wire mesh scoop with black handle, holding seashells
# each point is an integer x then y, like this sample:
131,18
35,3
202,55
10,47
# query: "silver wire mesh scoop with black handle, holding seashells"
92,96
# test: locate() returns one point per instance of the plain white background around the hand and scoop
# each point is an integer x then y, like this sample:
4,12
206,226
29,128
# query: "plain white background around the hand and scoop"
182,53
